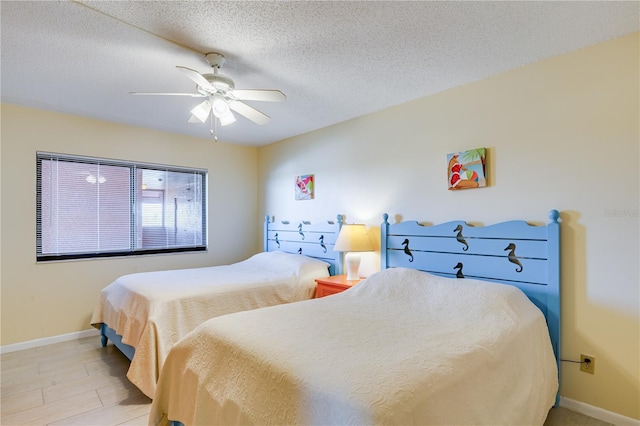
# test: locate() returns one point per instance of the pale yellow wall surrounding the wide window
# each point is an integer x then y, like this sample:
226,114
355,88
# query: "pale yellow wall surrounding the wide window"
49,299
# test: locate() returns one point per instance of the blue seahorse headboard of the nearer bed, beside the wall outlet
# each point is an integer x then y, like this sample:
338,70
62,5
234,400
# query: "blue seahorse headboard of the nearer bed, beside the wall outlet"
513,253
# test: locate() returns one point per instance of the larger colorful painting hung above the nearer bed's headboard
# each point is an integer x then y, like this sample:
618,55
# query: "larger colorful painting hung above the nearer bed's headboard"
467,169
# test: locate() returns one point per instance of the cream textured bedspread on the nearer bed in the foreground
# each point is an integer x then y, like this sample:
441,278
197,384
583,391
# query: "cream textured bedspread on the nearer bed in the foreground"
403,347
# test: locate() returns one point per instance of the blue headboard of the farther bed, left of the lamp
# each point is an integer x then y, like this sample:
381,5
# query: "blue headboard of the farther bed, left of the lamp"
314,240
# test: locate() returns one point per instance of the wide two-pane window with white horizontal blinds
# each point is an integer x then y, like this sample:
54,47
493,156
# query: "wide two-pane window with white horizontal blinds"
93,207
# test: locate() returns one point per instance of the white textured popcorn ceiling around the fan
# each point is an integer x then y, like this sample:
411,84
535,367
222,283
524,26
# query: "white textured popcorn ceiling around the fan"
334,60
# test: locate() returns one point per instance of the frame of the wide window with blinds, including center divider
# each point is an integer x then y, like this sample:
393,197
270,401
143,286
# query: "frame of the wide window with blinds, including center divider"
133,166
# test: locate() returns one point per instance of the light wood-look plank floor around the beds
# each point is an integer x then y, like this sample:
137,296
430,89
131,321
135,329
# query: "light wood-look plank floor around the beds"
81,383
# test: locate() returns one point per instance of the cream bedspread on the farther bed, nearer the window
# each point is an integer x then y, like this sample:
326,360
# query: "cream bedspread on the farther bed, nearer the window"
153,310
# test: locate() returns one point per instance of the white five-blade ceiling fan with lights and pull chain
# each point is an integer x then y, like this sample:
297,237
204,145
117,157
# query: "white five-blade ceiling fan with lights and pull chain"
222,98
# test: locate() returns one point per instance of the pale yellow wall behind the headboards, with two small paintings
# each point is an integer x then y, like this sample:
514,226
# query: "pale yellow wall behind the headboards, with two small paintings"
562,134
